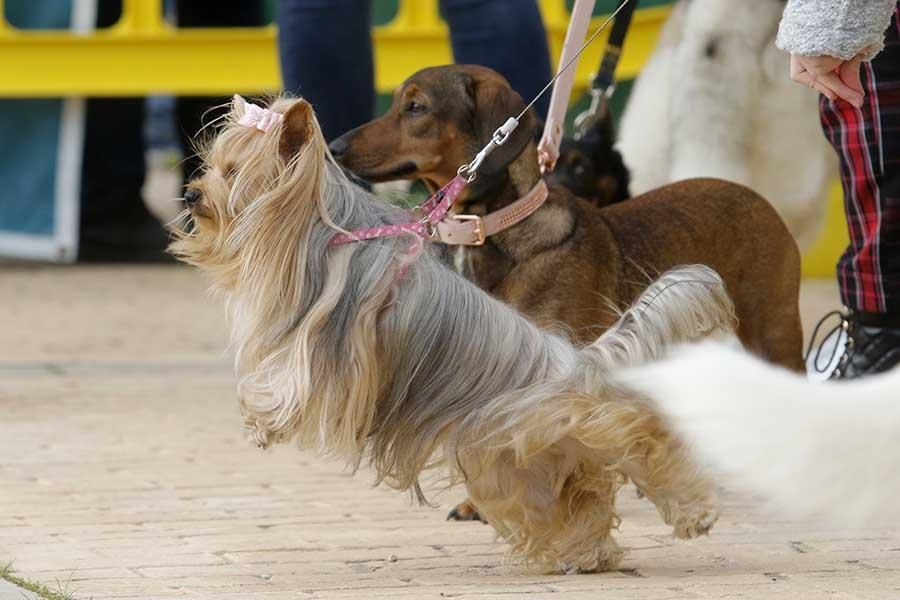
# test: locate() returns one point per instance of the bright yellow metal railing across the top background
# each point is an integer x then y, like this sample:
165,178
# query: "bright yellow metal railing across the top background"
144,54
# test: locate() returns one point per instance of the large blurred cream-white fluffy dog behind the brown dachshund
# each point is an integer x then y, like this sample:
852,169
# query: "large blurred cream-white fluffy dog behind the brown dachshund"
715,100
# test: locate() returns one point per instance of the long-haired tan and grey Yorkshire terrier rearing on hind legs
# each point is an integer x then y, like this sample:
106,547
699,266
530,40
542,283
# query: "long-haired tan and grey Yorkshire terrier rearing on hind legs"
376,351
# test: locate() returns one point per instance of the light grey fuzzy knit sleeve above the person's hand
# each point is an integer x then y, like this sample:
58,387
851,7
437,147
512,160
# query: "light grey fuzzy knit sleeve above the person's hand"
841,28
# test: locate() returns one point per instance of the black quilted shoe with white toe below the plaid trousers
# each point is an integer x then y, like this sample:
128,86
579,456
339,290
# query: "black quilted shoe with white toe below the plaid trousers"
855,347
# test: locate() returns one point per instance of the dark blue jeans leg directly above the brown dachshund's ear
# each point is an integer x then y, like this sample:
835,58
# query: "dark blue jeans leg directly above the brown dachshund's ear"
507,36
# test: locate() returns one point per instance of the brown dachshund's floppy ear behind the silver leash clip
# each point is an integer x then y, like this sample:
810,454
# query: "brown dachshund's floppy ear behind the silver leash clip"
495,102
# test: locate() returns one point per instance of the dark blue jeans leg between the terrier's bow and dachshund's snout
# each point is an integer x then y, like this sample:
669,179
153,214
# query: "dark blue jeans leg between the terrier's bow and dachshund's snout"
326,56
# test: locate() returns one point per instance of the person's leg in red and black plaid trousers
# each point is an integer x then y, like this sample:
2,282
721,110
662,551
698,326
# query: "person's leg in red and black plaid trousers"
868,147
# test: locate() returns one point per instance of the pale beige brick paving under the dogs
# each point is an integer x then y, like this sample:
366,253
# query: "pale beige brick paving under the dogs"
124,472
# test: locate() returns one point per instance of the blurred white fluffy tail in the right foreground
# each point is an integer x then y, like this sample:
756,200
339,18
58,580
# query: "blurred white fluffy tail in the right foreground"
830,450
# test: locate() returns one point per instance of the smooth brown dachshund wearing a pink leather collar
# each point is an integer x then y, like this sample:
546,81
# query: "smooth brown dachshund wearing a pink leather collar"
569,261
